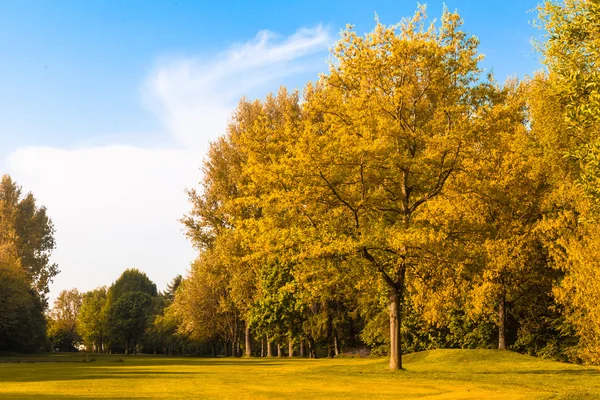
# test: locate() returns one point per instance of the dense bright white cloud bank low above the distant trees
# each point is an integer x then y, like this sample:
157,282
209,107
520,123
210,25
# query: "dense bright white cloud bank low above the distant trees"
113,208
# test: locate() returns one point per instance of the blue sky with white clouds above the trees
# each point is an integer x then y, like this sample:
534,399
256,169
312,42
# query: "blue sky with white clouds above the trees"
107,107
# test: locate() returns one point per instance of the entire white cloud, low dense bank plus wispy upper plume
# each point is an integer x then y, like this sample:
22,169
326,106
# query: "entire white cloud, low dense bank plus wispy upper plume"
117,207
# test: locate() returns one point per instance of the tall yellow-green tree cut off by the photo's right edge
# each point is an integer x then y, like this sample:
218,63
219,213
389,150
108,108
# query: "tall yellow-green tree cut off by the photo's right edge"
572,54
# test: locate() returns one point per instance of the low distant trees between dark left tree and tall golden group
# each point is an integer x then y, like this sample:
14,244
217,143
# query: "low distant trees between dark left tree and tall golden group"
127,317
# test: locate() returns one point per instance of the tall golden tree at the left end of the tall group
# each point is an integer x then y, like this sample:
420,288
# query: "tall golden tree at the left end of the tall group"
226,212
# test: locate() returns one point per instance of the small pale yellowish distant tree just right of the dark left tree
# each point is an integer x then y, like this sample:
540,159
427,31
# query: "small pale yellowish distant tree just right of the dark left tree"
62,329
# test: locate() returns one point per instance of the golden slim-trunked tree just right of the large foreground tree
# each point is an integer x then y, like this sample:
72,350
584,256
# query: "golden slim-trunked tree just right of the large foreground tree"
505,188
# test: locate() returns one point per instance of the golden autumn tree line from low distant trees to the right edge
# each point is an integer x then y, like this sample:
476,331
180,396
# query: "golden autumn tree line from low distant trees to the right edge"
404,201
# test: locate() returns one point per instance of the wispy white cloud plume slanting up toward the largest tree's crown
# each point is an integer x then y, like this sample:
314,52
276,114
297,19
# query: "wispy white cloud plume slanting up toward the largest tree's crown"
194,96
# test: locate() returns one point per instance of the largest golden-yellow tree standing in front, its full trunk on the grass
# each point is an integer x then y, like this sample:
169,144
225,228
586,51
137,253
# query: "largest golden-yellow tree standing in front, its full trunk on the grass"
385,131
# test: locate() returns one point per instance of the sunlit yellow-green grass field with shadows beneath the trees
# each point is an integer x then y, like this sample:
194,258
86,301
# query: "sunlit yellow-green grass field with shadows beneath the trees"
438,374
